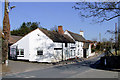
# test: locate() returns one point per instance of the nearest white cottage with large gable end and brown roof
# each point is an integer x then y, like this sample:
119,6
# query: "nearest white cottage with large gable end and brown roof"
42,45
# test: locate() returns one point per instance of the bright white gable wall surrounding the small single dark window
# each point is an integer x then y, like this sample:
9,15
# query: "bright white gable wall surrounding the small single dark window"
39,41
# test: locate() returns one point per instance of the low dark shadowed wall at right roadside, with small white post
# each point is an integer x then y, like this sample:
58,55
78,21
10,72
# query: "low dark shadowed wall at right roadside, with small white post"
110,61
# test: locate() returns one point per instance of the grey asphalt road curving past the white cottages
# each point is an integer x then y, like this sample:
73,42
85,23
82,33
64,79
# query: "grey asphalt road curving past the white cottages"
75,70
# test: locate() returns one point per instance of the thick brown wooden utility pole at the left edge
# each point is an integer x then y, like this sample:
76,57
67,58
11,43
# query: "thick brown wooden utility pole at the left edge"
6,31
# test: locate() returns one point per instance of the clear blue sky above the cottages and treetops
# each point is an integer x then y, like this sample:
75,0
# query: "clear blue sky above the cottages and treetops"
50,14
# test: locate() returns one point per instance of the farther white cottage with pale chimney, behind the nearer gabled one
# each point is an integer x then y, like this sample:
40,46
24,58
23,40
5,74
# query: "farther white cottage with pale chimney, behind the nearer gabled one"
83,49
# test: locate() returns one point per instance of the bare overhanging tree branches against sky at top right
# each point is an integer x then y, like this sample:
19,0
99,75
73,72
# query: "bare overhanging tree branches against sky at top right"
101,11
